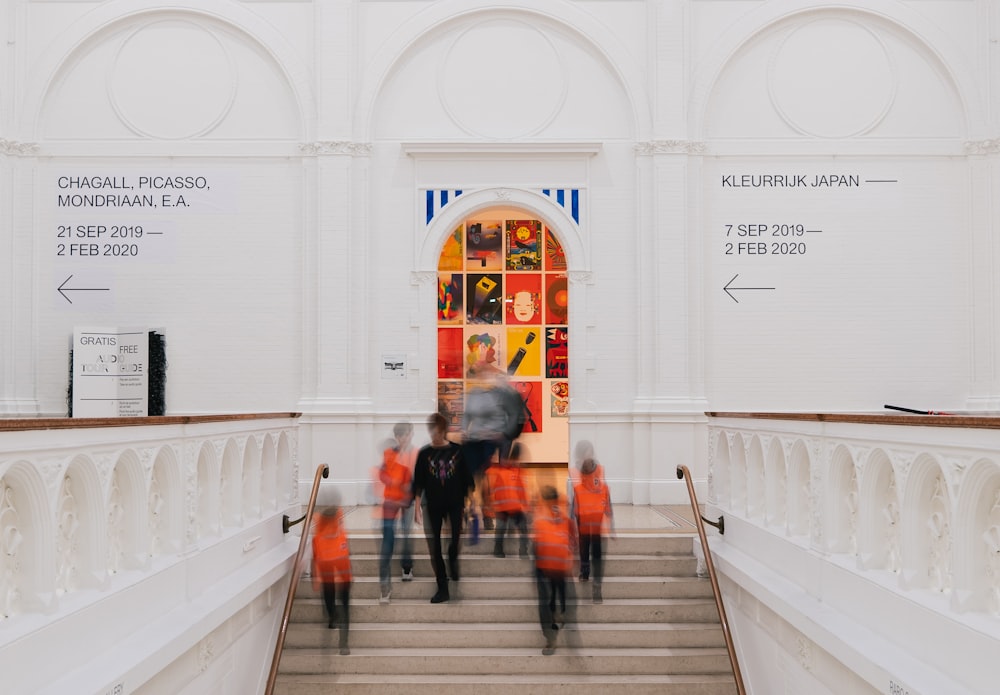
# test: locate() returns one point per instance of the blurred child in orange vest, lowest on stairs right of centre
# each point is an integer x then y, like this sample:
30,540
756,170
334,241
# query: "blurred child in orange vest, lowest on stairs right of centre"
553,536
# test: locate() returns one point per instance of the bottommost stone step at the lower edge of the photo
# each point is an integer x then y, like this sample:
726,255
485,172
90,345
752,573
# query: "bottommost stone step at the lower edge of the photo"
522,684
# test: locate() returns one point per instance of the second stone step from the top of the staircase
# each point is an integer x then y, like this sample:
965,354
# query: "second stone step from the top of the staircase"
482,565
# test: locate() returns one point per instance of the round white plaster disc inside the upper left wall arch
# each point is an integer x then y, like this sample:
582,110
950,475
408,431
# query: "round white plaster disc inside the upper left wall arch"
150,76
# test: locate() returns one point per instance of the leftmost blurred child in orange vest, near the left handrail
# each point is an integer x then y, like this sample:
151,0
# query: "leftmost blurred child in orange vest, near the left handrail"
332,569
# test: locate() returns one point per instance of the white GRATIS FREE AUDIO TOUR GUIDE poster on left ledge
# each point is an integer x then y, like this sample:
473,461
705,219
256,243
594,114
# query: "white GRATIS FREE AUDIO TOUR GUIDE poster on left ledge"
110,372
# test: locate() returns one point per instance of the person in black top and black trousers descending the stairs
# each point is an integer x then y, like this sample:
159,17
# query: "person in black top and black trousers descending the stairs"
441,482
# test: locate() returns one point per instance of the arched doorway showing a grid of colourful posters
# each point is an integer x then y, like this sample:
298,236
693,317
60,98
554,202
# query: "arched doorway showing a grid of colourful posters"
503,309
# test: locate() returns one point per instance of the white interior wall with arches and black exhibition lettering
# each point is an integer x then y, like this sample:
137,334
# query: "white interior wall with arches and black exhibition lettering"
281,290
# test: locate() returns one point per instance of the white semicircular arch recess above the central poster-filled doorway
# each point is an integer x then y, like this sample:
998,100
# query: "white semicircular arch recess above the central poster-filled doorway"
567,36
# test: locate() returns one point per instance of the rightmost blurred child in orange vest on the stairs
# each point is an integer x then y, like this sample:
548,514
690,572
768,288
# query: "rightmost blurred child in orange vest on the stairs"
592,510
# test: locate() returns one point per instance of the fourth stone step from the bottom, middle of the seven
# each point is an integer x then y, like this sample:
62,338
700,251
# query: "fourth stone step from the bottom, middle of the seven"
459,609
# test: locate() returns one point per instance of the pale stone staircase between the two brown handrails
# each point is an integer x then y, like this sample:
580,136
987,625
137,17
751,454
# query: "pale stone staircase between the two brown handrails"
657,630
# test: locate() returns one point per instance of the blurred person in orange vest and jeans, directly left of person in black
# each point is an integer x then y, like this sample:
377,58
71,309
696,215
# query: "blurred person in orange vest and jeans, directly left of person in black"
397,501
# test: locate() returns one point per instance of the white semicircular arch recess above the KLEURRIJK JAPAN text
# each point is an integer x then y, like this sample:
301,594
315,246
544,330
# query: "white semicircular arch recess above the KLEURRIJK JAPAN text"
906,34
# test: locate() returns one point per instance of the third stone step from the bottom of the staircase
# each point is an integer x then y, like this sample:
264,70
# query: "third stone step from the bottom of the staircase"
506,635
